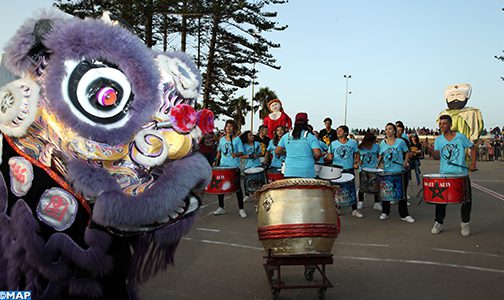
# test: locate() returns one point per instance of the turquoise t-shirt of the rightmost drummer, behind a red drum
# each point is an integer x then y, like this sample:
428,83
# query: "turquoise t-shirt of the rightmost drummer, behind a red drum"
452,153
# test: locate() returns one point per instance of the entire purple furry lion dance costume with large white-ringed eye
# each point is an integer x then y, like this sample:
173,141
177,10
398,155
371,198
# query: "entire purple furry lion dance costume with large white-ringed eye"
99,171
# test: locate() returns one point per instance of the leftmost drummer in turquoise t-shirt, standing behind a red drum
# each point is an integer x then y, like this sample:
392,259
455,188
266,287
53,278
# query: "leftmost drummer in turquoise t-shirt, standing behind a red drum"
228,155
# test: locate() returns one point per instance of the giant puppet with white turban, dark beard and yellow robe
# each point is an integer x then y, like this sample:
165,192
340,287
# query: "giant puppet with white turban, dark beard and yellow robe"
466,120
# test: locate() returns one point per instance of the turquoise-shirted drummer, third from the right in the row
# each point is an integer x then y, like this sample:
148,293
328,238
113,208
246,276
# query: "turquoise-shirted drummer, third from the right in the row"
369,152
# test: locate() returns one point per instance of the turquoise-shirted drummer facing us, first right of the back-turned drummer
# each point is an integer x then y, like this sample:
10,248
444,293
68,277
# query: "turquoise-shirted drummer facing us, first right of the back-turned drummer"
345,153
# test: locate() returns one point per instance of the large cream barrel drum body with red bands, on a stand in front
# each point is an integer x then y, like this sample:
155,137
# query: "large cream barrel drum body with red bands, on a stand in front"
297,216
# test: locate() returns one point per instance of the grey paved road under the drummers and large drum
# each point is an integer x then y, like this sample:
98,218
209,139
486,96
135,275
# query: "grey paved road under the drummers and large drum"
222,258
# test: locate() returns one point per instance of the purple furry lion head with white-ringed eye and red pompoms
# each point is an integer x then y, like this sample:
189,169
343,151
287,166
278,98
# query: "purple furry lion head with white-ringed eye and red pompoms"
116,116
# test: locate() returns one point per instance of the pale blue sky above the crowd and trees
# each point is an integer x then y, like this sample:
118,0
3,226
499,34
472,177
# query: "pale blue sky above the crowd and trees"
401,56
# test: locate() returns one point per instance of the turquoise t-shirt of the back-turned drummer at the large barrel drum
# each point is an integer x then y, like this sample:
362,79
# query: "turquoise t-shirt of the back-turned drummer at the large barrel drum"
299,161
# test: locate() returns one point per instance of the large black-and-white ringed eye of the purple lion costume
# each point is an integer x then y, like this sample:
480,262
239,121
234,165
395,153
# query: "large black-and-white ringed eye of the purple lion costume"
98,93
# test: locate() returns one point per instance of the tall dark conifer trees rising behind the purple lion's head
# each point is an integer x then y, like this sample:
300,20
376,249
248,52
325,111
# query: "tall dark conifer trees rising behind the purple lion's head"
225,37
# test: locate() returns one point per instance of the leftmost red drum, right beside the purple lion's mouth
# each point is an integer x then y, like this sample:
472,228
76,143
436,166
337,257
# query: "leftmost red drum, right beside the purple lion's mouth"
224,180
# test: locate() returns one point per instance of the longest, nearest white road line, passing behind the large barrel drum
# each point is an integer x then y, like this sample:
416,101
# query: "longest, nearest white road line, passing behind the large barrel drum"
393,260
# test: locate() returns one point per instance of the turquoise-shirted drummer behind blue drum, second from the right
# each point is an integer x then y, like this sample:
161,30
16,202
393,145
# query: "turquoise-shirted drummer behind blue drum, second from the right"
392,151
